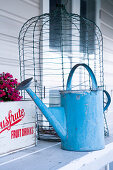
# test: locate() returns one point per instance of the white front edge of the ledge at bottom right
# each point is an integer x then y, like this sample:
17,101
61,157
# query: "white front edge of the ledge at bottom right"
93,160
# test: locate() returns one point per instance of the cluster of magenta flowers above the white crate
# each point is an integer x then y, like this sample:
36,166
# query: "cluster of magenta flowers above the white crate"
8,86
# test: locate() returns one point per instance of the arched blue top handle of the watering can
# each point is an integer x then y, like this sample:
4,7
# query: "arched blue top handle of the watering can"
94,82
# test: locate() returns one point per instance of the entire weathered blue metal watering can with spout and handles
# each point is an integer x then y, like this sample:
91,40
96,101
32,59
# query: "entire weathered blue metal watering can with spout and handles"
79,121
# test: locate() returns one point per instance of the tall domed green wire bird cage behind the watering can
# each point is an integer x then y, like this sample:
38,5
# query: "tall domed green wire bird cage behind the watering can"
49,46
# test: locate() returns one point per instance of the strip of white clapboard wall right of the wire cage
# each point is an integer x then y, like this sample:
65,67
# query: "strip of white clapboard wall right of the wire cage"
106,26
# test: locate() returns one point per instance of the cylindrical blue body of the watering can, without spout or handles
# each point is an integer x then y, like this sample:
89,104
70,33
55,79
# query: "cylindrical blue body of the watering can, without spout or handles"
85,122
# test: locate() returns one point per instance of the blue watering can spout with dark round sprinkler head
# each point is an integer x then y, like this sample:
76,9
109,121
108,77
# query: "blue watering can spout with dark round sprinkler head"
55,115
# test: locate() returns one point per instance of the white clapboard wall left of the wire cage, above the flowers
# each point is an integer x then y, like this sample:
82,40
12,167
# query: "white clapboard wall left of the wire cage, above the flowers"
13,14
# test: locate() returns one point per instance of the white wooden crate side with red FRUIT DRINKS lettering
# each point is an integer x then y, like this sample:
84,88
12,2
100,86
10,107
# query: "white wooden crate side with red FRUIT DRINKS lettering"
17,125
